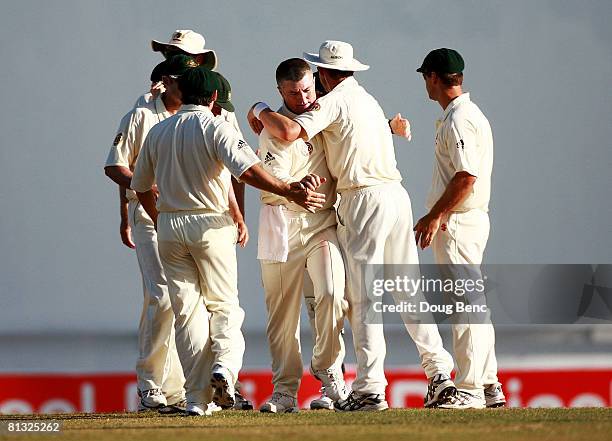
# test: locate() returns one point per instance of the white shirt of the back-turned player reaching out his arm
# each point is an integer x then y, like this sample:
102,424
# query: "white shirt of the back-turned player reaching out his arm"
191,156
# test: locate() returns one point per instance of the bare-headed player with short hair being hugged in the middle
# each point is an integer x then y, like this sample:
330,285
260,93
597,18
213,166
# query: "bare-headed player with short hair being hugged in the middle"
310,242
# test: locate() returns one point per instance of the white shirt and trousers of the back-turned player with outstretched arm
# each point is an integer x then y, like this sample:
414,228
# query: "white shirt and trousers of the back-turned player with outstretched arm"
189,155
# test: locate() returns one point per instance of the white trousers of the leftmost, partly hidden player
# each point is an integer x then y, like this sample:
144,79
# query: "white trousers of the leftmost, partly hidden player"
158,365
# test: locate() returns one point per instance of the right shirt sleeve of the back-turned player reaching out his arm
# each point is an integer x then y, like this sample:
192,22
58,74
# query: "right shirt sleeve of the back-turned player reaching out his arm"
232,150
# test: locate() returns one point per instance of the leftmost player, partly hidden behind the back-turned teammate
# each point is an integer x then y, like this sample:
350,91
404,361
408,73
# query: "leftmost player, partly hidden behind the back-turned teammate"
158,370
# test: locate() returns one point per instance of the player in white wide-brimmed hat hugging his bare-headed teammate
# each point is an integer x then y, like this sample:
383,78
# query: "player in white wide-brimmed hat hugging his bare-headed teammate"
374,215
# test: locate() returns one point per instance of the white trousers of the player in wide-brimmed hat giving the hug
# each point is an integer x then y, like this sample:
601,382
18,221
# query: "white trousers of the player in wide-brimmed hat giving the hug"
375,227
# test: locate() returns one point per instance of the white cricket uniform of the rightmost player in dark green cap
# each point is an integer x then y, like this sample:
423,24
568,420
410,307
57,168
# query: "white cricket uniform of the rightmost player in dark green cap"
464,142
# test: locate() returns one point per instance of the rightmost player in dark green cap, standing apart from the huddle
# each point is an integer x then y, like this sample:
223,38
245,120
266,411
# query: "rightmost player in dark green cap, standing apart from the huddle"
457,224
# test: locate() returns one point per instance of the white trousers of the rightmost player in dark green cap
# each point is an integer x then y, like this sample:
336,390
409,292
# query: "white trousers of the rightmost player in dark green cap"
464,242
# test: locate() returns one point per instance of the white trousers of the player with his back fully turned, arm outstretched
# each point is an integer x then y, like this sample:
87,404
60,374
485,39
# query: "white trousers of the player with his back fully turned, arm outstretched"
198,251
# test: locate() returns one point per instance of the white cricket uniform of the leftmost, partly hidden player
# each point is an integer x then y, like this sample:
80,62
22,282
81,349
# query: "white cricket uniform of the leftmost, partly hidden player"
158,365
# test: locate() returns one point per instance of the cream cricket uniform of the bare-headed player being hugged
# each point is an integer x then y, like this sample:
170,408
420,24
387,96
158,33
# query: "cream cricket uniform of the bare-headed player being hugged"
313,245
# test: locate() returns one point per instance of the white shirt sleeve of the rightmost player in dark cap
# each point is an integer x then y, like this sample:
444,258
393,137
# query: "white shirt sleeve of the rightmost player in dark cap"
463,149
